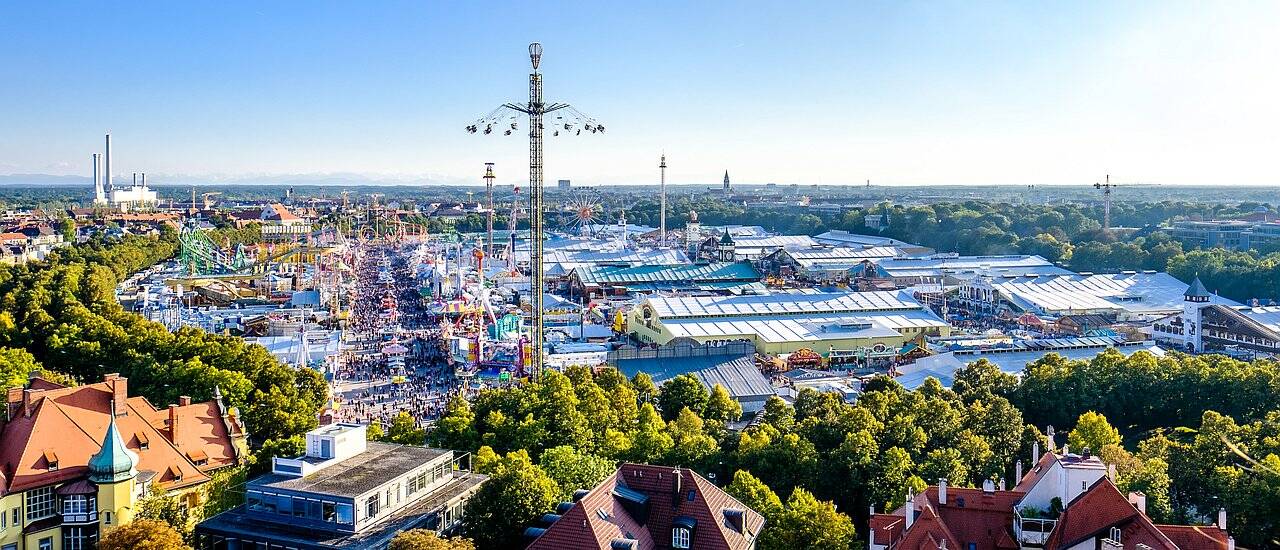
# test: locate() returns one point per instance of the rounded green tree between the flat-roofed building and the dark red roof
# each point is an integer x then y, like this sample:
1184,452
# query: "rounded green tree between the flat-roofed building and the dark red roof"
516,494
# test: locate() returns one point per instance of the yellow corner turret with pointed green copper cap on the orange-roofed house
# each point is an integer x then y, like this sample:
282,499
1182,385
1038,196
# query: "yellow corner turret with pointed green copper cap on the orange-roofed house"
113,470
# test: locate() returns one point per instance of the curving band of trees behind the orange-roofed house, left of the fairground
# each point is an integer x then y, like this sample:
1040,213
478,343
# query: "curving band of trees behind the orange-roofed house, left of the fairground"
61,315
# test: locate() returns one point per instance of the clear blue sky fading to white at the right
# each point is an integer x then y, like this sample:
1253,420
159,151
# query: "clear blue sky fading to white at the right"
939,93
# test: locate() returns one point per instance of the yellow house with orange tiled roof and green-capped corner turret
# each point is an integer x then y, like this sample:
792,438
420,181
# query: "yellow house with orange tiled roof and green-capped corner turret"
76,462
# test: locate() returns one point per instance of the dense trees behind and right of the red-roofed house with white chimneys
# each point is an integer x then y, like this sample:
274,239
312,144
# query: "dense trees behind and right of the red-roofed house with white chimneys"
1195,433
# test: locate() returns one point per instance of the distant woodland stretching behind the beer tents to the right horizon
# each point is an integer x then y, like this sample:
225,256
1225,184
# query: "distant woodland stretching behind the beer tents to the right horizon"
1067,235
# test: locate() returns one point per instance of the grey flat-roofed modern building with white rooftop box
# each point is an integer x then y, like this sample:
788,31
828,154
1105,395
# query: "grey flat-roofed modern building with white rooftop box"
345,494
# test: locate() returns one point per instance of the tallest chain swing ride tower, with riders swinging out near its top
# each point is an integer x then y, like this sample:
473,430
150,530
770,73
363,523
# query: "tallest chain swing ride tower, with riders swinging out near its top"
506,120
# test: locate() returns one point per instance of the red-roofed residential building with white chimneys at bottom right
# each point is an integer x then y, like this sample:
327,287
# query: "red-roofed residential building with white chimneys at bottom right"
1095,515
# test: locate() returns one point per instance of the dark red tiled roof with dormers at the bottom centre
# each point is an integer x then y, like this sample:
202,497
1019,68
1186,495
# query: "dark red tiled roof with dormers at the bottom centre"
600,517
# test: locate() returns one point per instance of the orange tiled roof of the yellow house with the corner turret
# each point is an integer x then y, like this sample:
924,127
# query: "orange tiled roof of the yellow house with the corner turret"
70,424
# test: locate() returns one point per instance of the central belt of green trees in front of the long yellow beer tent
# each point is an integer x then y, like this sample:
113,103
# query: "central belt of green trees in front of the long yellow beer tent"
542,442
